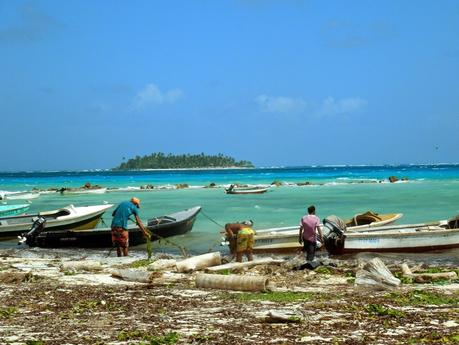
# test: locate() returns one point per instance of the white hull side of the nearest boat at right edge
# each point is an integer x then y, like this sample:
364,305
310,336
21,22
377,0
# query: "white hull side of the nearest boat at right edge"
408,240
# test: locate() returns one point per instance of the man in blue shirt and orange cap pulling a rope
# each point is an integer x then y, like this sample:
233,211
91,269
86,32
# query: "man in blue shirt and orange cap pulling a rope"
120,234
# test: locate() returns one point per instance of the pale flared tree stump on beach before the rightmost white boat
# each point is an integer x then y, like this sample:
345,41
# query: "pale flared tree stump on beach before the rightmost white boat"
376,275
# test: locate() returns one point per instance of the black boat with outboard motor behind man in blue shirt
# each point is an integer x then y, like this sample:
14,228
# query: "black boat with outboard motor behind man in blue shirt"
177,223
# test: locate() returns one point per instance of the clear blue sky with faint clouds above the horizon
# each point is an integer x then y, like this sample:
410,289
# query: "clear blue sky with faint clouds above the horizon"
85,83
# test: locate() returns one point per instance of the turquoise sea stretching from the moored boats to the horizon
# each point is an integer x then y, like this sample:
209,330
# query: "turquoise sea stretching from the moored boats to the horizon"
430,192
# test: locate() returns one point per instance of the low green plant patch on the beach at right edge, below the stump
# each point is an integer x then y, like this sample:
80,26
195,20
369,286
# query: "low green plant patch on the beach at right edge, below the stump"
420,297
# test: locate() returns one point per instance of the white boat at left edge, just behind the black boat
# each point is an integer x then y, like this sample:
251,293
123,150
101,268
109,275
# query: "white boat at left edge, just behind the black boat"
69,217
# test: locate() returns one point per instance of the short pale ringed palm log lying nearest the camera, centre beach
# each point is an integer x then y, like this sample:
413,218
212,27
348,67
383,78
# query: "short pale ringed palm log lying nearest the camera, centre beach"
232,282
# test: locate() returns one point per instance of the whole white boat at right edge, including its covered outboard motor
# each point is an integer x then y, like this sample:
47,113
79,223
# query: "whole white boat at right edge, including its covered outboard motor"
402,238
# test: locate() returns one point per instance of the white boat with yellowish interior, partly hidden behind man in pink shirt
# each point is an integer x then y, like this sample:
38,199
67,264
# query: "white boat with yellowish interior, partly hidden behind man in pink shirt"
285,239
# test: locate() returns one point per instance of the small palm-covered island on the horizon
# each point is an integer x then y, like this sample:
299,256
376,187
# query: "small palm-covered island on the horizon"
159,160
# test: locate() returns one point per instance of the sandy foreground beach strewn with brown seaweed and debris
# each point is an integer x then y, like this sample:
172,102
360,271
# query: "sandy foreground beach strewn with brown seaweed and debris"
81,300
